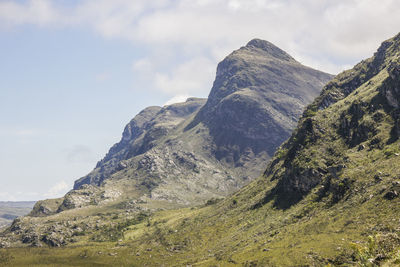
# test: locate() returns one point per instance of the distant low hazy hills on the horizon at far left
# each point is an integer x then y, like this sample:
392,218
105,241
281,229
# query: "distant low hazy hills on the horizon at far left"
10,210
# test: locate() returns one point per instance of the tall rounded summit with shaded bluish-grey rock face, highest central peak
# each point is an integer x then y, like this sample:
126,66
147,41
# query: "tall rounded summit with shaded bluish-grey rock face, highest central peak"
257,97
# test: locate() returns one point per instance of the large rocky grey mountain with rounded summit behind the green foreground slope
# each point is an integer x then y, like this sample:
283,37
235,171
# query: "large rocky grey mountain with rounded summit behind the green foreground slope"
189,152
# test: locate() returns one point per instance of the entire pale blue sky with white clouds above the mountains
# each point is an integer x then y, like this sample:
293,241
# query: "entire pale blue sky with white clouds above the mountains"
74,73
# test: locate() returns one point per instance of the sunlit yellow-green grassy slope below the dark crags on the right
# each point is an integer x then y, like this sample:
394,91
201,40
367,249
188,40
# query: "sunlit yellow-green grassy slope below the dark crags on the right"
232,232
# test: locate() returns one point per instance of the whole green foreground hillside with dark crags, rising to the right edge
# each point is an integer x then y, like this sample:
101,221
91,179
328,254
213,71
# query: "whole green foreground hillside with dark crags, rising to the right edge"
329,196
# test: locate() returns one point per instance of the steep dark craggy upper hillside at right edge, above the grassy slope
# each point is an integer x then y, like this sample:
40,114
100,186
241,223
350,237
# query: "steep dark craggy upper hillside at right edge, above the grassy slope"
352,111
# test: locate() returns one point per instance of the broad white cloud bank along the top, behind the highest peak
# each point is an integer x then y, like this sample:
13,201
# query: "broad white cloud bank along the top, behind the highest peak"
329,35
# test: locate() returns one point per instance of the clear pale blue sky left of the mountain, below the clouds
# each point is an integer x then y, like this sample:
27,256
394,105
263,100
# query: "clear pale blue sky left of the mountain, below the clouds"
65,96
